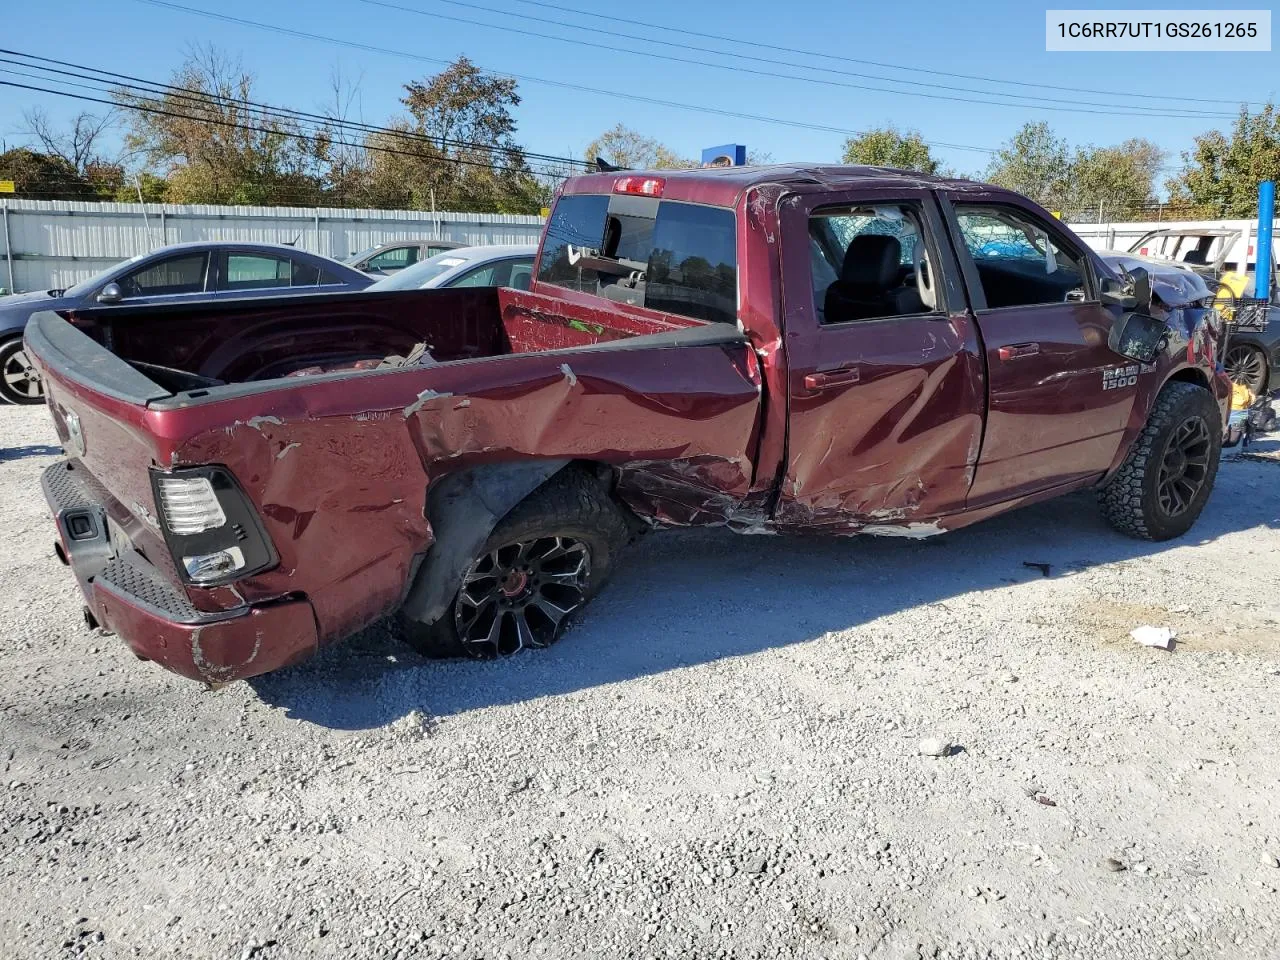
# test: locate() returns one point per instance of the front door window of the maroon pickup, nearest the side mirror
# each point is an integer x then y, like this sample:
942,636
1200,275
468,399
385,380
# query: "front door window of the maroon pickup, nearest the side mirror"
1018,260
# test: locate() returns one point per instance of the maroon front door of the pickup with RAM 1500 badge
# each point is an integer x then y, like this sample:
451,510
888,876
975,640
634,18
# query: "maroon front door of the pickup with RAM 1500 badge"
1059,399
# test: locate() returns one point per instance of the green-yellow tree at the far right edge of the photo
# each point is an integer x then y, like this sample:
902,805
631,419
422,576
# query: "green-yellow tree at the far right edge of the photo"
1222,175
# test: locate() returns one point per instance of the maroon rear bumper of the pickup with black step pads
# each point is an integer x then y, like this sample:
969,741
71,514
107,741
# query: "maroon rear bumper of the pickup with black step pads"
131,597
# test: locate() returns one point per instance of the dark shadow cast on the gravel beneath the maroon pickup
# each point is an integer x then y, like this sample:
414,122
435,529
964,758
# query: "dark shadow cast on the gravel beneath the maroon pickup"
693,597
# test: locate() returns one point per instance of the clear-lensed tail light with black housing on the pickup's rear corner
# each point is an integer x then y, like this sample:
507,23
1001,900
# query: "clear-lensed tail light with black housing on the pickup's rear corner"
211,527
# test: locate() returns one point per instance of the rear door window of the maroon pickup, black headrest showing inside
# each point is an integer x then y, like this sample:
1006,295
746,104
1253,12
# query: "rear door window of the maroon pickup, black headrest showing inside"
870,263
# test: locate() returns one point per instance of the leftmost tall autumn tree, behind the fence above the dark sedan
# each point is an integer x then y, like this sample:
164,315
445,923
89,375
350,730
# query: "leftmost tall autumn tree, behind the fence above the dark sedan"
214,147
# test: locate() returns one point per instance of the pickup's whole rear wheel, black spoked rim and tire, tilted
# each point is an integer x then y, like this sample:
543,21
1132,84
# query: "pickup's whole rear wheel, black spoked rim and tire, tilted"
540,568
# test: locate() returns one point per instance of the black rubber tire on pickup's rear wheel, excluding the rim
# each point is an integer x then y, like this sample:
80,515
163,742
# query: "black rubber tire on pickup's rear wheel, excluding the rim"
572,505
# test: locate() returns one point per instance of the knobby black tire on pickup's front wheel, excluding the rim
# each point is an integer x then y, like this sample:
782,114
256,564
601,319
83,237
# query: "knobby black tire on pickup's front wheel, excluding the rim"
1130,501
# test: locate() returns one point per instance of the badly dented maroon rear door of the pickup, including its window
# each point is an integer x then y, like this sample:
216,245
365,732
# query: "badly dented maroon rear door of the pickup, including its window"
885,378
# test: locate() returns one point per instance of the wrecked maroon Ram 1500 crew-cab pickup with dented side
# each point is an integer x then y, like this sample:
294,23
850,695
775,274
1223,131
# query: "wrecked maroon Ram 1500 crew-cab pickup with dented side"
775,350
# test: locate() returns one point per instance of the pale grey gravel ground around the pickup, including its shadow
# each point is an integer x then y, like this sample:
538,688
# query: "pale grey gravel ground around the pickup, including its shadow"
723,760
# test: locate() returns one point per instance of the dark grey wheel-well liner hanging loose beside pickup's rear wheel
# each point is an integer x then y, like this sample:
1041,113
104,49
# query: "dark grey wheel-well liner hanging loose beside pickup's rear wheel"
464,510
